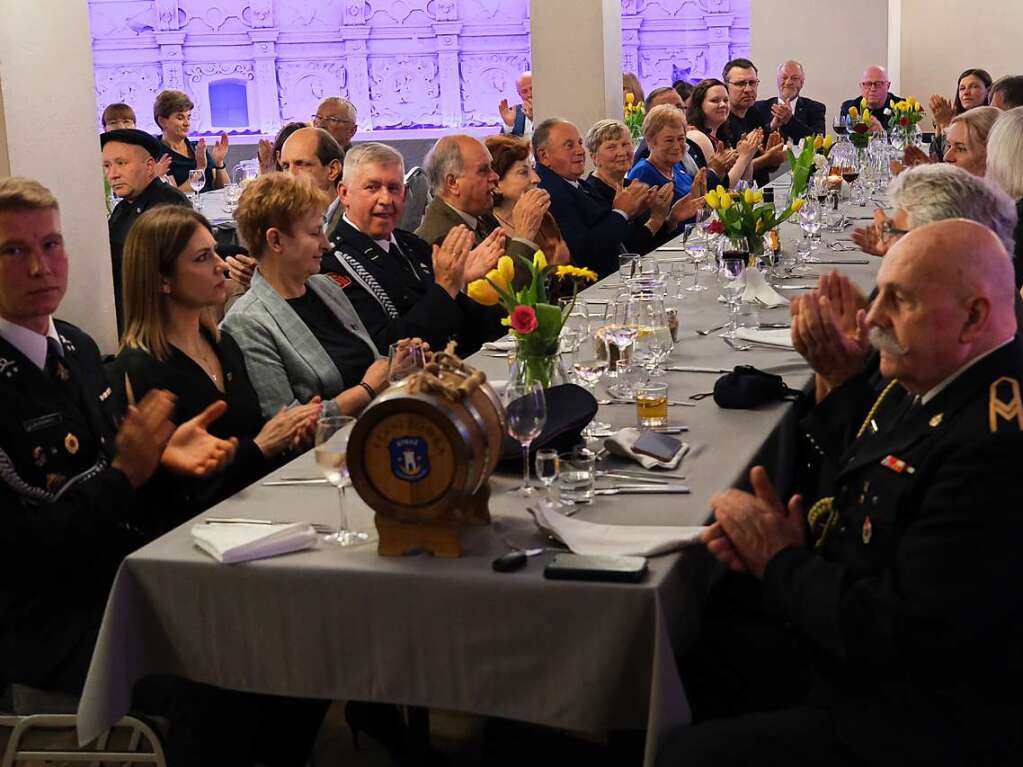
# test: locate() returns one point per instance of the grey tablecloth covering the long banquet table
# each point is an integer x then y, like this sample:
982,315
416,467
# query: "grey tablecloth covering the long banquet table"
346,624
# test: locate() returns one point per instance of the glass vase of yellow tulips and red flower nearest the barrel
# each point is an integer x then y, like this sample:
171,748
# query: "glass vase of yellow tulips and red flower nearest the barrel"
537,326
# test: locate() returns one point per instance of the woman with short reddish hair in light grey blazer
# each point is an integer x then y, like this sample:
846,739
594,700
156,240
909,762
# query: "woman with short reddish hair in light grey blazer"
299,334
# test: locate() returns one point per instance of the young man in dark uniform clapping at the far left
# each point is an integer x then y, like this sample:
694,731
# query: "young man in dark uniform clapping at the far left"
69,512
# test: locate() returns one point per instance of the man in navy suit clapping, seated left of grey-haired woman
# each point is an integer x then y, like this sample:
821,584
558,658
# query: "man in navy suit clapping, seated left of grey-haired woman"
594,231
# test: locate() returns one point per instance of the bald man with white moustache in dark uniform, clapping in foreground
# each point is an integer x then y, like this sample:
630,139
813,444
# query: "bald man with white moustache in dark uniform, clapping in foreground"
884,623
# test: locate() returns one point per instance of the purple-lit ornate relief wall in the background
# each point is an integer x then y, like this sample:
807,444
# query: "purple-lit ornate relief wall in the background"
406,64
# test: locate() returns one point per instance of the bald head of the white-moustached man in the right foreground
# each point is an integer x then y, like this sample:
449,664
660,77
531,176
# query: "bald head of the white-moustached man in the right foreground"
946,296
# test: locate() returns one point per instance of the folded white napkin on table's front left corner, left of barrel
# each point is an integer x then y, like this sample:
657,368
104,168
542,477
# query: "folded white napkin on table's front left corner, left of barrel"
235,543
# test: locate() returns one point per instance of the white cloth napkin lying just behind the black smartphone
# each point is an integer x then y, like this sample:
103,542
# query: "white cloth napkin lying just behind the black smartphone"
591,539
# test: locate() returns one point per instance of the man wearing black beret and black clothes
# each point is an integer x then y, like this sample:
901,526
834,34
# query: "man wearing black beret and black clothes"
130,165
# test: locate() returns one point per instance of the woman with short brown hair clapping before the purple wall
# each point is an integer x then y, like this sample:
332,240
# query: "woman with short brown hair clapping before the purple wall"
172,111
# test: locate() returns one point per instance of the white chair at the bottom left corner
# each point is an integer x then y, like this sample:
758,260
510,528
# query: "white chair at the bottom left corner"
46,739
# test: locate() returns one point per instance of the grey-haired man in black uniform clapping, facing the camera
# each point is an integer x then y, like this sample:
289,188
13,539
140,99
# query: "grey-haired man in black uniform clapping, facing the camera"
399,285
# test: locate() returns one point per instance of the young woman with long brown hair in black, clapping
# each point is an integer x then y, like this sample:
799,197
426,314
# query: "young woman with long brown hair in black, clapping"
173,284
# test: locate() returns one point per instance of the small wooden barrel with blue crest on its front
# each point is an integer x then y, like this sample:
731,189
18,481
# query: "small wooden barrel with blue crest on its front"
418,458
